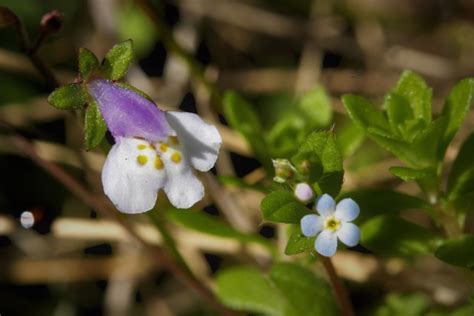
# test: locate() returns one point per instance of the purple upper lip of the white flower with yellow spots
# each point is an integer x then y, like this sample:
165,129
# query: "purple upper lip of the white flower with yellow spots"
128,114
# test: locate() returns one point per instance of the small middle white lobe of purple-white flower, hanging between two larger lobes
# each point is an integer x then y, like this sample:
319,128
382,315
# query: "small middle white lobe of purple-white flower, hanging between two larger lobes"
182,188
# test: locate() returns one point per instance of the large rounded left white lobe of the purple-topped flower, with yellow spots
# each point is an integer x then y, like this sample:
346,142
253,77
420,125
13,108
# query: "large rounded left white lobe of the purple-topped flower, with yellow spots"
132,186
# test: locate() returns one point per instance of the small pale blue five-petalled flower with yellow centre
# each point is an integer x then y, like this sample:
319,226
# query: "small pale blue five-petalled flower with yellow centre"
332,223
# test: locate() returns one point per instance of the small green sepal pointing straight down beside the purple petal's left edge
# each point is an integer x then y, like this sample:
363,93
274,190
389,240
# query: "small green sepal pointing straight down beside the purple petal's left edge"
94,126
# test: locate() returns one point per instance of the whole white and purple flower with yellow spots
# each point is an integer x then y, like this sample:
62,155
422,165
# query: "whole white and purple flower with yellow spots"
153,150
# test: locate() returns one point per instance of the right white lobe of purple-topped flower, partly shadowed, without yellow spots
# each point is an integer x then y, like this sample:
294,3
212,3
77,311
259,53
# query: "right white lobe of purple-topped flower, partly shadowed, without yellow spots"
201,140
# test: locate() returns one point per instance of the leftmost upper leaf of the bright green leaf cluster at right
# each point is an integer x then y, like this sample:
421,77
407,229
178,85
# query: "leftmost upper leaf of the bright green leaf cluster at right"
364,114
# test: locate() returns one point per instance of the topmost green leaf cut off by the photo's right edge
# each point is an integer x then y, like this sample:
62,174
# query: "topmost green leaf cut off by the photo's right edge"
456,107
